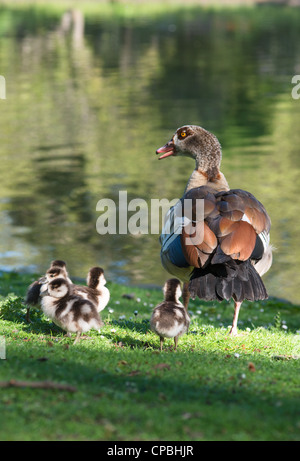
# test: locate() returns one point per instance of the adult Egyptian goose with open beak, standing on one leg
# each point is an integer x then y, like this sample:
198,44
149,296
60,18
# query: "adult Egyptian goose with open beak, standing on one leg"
234,251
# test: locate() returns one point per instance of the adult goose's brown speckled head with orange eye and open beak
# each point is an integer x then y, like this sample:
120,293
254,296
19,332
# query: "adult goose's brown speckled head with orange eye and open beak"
195,142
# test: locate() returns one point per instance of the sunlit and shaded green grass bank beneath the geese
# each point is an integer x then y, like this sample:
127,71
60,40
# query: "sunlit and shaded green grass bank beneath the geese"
213,388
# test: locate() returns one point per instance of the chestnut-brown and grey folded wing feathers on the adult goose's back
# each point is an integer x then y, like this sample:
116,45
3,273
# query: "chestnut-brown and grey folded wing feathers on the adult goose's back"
229,226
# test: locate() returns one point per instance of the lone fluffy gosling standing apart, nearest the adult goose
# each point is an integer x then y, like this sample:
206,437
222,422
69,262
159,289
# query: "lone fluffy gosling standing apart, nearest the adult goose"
169,318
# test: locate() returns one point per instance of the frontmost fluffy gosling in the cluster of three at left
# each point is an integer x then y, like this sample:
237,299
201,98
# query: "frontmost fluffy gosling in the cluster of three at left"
69,311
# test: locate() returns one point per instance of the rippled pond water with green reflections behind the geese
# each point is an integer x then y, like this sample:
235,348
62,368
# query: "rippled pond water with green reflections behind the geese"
90,97
